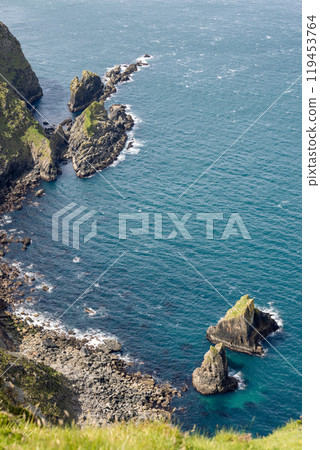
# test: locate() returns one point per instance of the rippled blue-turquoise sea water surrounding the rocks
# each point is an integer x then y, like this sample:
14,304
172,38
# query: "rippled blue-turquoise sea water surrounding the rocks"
216,67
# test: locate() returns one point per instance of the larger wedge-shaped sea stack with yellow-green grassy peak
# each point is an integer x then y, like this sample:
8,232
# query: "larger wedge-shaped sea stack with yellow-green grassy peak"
243,327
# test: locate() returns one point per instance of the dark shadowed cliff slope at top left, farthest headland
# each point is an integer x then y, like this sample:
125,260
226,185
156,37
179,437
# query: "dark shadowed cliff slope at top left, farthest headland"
15,68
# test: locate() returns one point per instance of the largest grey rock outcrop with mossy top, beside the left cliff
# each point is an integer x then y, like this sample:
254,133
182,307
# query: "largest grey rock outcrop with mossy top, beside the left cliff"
96,140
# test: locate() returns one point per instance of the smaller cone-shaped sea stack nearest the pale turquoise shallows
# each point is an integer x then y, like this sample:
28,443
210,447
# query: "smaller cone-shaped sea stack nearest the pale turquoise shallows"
212,377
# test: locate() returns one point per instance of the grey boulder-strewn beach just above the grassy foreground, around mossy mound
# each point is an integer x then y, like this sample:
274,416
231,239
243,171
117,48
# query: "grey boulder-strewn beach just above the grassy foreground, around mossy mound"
101,387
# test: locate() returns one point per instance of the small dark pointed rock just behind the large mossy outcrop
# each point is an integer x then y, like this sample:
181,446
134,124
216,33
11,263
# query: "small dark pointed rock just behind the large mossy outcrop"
84,91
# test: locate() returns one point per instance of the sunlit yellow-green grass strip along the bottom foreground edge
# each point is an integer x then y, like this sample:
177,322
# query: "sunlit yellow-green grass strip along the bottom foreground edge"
17,433
